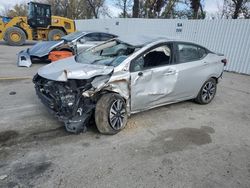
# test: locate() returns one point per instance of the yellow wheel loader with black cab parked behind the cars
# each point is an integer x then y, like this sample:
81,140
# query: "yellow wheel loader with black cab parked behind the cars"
39,25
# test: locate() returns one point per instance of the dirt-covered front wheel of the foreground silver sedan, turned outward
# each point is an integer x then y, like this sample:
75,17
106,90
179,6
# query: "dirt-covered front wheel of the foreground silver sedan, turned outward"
110,114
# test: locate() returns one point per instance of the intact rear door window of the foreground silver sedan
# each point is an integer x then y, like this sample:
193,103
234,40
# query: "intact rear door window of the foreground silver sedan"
189,52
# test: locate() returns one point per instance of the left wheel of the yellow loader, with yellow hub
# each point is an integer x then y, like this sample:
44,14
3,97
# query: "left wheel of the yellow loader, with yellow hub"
15,36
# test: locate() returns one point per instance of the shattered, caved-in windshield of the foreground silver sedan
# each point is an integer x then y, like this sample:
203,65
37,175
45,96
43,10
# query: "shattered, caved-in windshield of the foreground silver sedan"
111,53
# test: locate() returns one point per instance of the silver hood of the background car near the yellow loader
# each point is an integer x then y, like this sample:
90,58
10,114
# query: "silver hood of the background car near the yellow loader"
41,49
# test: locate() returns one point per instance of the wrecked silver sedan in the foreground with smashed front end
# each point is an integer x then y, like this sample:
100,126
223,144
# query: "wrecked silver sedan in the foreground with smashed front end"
123,76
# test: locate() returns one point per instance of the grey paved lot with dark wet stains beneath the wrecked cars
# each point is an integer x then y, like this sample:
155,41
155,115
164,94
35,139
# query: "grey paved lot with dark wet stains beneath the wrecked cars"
179,145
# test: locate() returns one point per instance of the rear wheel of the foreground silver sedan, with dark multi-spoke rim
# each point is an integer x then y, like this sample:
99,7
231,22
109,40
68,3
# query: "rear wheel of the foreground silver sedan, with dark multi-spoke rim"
207,92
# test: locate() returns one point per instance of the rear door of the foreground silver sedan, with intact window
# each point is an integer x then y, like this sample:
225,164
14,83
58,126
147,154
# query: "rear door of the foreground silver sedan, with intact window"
192,64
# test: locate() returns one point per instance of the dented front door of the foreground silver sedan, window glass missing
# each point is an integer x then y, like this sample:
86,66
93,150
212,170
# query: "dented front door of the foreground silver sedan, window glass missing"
153,78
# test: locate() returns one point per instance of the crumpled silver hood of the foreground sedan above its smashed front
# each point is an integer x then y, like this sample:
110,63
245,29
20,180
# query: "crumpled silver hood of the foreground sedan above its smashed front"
68,68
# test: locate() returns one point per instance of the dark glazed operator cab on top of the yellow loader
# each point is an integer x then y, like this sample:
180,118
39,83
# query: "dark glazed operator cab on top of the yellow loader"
39,15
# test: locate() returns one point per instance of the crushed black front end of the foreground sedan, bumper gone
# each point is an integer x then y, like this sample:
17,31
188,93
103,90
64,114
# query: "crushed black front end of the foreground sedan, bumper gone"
66,102
